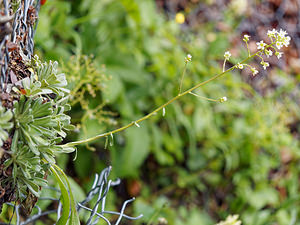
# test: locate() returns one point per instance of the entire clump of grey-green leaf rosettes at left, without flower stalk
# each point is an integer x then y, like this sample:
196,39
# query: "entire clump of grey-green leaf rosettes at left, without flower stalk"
31,130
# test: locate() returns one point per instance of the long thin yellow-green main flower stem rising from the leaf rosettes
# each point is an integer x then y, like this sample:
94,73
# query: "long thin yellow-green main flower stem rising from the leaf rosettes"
160,107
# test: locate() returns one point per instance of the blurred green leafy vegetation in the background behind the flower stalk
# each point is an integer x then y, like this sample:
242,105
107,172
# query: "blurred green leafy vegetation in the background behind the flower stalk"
203,160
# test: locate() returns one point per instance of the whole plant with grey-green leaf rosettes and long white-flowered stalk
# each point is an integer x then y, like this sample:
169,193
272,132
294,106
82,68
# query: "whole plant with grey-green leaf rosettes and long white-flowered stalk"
39,124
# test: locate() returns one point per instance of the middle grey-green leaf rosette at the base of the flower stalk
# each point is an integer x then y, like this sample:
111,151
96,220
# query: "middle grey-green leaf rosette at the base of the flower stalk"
41,125
